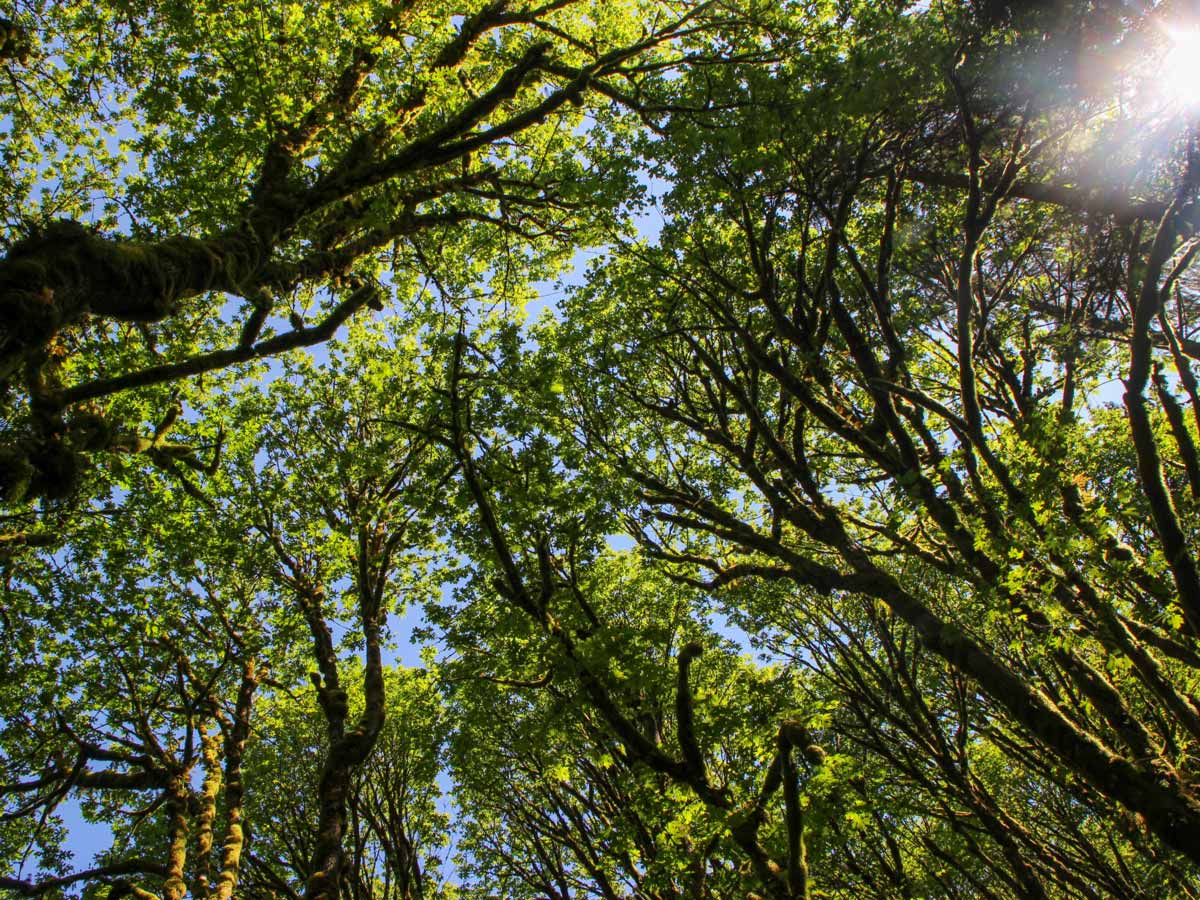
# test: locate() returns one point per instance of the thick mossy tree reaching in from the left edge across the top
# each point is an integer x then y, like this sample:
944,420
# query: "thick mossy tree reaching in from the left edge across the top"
223,184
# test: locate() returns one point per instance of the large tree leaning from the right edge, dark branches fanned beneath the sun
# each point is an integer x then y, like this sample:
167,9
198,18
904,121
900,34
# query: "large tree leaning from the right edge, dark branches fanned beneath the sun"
809,393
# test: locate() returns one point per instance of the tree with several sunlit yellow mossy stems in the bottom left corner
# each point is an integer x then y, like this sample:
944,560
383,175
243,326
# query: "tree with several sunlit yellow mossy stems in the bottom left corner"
131,692
